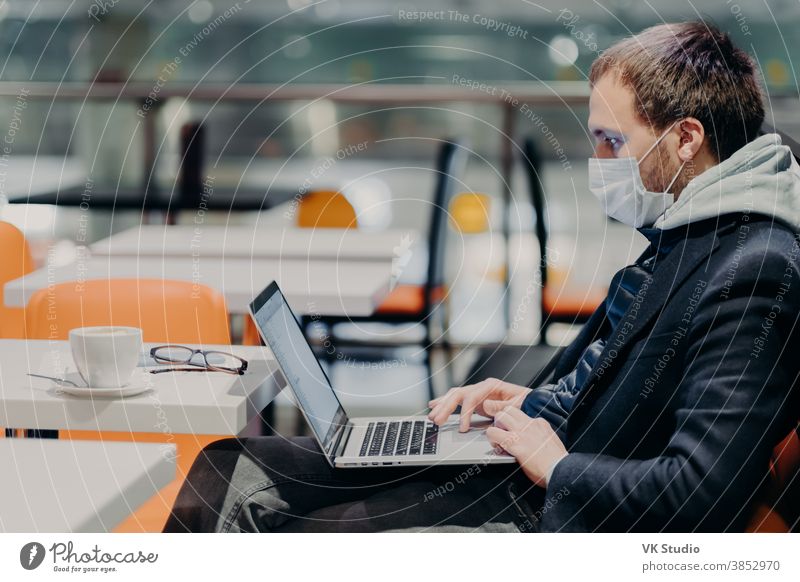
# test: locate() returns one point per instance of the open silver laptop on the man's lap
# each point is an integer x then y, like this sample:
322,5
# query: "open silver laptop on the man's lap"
364,441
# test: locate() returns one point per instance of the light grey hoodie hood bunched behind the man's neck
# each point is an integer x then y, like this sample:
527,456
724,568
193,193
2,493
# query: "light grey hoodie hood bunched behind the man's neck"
762,178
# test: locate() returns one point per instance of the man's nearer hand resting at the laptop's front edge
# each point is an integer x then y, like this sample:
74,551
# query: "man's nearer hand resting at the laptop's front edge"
532,441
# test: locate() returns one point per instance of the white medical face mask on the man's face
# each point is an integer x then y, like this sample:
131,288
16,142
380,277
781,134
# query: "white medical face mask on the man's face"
617,183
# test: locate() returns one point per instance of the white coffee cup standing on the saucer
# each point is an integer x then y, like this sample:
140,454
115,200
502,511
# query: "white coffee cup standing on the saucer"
106,356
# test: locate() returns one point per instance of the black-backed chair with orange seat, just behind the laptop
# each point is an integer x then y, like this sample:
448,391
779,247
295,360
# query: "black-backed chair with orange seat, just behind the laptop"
423,303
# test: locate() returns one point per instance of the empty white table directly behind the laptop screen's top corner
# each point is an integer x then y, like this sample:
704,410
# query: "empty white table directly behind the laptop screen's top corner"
312,287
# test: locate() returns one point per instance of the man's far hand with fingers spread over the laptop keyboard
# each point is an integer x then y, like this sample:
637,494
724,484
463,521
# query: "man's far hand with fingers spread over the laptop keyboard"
486,398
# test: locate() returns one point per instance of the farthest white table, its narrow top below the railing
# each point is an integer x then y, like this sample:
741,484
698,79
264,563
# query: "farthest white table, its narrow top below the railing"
258,242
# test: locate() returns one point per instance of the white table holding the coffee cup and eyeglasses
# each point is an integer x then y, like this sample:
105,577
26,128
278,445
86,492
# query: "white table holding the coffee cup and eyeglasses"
179,403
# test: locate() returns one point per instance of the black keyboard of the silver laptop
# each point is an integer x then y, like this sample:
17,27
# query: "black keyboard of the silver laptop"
402,437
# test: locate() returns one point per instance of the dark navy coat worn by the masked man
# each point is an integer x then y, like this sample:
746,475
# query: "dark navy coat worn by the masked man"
696,385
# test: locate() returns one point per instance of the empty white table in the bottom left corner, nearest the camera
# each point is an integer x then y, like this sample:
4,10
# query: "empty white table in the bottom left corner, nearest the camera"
78,486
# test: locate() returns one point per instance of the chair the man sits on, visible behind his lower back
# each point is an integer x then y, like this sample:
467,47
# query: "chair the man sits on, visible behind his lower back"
778,507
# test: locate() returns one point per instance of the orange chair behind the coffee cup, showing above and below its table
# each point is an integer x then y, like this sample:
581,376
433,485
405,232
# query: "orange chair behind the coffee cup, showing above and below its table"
166,311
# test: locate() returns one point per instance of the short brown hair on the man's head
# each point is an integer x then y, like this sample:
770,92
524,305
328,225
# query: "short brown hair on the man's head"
690,69
